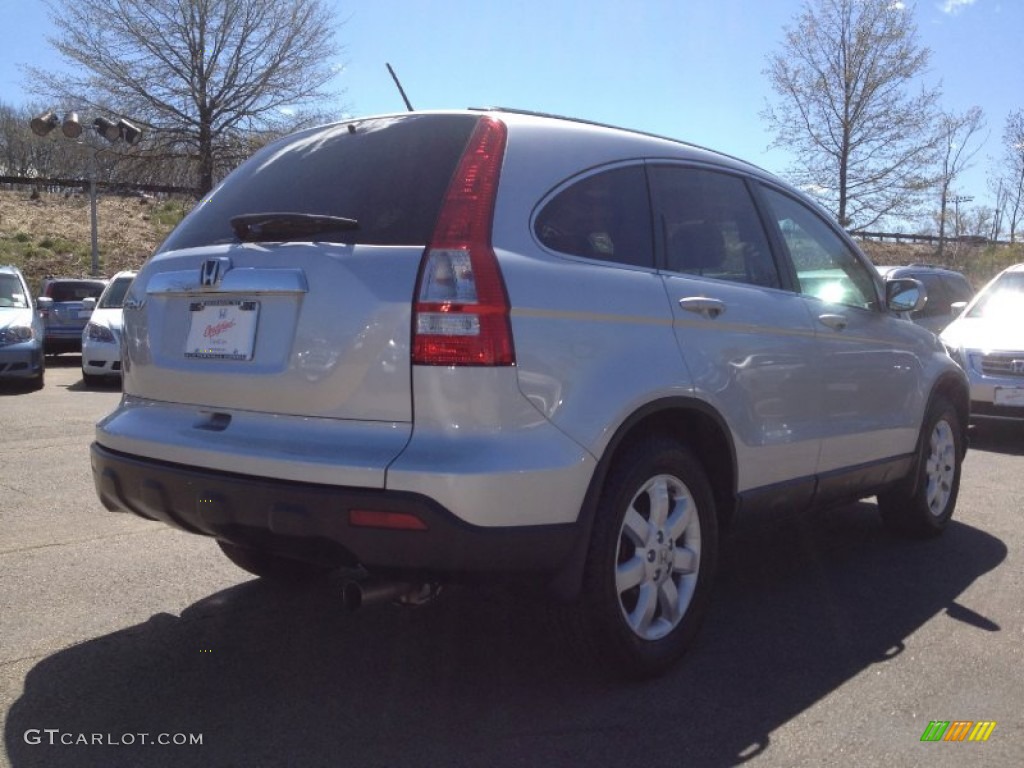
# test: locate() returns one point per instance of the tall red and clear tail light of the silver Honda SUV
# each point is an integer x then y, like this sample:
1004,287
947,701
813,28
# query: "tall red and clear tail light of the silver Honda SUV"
461,316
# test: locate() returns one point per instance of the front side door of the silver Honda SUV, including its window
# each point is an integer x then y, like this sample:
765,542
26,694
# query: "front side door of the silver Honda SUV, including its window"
873,397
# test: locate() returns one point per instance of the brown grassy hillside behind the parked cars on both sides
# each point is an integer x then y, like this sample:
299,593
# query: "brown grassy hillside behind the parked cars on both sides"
52,236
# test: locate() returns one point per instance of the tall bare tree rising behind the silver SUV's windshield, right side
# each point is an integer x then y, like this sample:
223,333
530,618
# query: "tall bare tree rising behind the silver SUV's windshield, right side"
851,109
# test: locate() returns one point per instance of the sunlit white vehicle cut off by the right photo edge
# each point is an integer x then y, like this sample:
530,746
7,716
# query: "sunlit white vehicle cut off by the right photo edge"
988,339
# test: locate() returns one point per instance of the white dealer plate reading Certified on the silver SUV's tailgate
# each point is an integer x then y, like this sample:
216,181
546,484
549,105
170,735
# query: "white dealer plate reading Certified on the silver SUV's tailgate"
223,330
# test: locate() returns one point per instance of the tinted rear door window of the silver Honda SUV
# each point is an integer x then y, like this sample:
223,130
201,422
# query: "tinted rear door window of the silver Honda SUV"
710,227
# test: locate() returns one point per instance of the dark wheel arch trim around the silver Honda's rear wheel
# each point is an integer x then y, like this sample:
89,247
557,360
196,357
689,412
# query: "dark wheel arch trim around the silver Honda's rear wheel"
693,422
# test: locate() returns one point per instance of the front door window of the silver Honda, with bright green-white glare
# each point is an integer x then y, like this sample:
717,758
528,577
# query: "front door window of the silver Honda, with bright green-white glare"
827,269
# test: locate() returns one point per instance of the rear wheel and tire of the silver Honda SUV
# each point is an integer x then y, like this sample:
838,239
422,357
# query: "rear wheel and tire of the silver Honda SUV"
652,562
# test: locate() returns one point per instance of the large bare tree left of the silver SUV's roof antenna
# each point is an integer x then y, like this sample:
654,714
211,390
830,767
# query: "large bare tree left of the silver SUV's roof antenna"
199,75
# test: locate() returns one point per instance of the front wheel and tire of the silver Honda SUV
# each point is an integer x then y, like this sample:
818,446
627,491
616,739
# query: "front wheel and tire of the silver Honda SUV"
923,508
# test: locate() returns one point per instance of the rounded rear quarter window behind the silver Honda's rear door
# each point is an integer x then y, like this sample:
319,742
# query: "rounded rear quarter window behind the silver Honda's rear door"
606,217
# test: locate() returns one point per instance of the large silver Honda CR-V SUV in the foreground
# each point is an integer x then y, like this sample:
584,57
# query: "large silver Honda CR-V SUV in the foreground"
459,346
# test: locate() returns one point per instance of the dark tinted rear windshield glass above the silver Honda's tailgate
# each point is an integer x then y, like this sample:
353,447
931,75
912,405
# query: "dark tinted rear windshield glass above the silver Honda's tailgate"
390,175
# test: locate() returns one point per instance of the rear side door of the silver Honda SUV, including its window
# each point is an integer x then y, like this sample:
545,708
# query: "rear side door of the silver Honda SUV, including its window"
750,346
